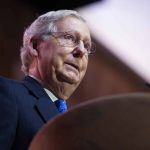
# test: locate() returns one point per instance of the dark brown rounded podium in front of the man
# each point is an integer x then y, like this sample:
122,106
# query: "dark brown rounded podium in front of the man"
110,123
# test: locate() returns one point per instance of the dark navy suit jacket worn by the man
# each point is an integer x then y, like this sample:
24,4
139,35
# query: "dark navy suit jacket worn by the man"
24,108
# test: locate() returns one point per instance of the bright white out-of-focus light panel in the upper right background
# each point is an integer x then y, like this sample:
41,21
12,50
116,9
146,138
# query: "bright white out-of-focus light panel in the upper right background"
124,28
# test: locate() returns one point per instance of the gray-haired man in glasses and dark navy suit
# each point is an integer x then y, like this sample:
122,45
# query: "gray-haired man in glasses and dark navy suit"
54,59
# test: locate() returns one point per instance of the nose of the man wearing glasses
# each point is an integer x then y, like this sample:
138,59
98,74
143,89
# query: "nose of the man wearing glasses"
79,50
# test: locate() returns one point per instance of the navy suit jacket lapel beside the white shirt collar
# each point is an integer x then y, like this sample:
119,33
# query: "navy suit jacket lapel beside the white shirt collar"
44,105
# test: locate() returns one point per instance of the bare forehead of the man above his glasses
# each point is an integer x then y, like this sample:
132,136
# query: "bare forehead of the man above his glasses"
75,25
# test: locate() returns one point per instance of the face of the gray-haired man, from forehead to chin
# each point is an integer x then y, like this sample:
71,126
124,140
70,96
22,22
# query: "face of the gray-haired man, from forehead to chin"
61,63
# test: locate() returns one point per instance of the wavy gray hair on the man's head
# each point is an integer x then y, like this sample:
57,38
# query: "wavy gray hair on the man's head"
43,25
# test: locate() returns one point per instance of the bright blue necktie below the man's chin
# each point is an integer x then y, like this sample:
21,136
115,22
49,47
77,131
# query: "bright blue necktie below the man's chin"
61,105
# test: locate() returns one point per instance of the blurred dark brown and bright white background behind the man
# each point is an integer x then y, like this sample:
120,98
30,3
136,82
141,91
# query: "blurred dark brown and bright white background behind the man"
120,29
